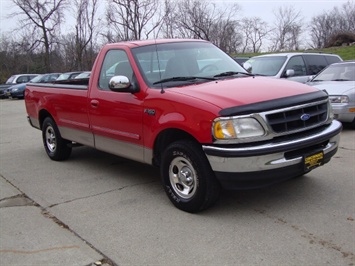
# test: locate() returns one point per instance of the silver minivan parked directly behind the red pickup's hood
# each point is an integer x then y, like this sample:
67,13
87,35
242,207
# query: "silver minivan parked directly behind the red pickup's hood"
293,66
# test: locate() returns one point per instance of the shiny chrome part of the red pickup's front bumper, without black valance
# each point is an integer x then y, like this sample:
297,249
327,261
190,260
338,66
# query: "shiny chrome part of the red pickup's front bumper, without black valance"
271,156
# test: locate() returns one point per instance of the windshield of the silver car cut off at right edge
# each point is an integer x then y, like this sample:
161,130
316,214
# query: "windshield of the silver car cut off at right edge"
337,72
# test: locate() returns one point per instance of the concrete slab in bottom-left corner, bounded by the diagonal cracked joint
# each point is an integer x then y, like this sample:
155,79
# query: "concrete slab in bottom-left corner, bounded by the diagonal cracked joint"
31,236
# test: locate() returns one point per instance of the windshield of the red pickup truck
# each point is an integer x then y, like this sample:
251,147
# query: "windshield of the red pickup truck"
173,64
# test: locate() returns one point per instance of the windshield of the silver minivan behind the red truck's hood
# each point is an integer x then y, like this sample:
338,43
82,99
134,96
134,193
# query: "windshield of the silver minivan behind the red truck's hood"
267,65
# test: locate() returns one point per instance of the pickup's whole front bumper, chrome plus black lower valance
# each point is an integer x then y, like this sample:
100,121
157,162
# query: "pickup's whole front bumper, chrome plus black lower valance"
258,165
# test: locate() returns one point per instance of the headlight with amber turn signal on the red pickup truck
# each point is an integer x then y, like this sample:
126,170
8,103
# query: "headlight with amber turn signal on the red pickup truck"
237,128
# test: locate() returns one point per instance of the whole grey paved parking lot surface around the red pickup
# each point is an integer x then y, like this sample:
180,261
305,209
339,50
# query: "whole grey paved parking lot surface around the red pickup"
97,208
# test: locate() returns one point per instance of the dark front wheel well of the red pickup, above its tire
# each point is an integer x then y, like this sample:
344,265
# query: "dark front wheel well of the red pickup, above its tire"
164,139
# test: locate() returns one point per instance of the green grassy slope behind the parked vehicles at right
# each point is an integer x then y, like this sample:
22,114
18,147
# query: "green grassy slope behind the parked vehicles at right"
345,52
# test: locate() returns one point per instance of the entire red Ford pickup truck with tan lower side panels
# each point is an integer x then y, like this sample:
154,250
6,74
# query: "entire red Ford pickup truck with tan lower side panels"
191,110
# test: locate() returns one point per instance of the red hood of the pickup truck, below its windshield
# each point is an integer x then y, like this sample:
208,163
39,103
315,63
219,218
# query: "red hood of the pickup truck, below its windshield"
243,91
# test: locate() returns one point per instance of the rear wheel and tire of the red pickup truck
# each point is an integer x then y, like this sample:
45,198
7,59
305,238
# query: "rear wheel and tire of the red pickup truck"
57,148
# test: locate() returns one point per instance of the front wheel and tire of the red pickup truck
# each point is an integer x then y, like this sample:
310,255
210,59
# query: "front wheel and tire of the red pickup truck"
187,177
